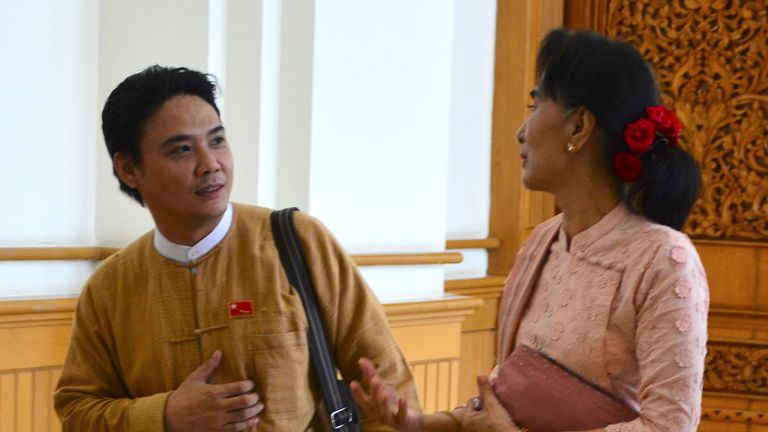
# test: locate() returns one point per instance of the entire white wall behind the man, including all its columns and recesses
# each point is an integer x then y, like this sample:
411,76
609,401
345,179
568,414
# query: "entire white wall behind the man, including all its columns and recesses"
373,116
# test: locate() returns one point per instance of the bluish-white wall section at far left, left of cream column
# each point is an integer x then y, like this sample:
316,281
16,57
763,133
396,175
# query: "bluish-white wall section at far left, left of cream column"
49,120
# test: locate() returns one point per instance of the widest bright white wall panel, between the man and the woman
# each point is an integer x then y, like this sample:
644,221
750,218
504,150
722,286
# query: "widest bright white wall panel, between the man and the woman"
380,132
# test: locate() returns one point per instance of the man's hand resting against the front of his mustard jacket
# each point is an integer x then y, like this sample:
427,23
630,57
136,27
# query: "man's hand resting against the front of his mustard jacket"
199,406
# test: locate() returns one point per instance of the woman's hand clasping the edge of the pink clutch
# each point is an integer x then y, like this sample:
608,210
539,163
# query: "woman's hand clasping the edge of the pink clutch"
485,412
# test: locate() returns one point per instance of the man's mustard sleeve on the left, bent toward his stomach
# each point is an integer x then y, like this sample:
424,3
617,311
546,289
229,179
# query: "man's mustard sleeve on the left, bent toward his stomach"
90,395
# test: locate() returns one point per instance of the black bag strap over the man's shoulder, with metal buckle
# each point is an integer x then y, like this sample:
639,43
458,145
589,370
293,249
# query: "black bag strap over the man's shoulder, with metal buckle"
343,413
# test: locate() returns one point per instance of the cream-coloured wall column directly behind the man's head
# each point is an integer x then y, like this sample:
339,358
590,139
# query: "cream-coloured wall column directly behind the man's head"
133,35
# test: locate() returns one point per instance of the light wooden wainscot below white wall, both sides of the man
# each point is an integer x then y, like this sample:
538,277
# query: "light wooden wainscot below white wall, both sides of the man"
34,337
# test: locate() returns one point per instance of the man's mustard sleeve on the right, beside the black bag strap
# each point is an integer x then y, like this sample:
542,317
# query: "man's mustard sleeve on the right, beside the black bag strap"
356,322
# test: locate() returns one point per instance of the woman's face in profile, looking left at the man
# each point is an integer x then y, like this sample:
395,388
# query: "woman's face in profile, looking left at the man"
544,140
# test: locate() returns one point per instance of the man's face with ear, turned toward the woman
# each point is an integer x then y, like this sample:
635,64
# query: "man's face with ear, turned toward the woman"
186,173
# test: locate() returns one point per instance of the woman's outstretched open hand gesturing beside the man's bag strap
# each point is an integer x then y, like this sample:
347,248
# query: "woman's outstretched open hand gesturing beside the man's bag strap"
380,402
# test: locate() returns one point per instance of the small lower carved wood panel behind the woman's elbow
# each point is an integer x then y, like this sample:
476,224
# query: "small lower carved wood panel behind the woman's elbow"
737,368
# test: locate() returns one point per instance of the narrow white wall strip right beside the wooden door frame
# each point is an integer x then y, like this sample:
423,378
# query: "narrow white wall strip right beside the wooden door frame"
470,149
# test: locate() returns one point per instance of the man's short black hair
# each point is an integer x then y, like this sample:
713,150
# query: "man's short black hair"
138,98
